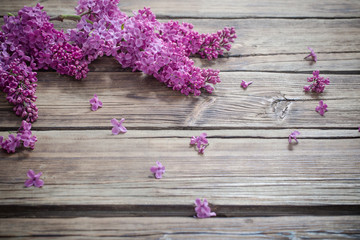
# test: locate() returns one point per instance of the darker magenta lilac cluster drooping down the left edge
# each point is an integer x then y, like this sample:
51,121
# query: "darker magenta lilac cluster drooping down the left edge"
30,42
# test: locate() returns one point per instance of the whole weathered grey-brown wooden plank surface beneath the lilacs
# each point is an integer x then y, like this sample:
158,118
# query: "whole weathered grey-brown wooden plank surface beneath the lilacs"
99,186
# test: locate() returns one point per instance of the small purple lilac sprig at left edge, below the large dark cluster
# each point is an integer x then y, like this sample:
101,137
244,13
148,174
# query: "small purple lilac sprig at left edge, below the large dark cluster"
24,137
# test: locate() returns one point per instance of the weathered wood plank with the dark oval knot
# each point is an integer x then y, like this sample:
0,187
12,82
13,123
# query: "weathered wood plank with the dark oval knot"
273,100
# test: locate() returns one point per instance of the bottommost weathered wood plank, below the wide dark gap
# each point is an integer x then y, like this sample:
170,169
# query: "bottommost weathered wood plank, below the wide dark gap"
183,228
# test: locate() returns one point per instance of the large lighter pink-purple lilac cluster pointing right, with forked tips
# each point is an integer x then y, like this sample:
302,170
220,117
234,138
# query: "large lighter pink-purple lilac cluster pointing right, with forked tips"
142,43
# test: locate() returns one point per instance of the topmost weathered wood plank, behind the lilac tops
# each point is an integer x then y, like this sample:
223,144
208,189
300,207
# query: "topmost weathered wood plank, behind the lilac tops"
213,9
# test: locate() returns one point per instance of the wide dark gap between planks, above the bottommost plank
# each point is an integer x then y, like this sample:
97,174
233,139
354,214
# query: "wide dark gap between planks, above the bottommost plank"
222,211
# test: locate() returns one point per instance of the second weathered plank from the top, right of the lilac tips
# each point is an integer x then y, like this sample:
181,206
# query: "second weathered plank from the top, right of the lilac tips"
280,36
